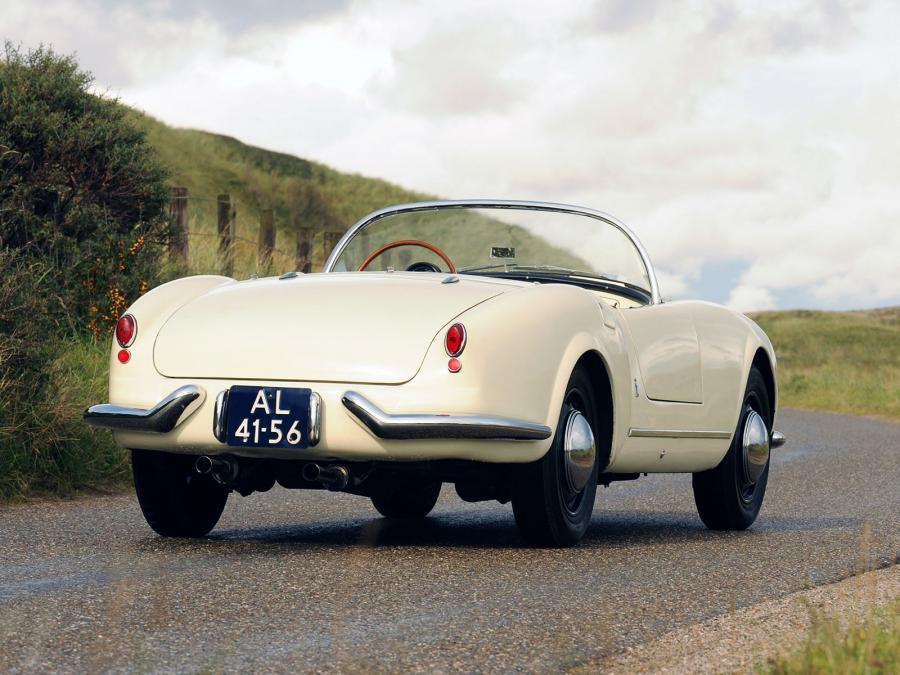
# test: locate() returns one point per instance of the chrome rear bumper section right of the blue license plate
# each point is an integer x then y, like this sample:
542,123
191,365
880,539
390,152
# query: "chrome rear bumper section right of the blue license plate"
406,426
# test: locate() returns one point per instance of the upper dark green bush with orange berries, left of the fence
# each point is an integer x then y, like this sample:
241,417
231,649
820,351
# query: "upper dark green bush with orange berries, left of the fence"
80,188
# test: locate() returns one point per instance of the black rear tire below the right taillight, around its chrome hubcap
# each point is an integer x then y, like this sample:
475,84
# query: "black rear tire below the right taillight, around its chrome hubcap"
547,512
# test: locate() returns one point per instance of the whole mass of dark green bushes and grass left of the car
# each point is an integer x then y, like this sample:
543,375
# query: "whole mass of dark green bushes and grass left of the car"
82,206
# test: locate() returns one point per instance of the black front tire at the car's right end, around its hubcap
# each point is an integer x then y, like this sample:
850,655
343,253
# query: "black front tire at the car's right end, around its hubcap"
725,500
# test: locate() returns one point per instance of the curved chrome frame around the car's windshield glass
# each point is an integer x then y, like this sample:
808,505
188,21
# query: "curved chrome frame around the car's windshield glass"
496,204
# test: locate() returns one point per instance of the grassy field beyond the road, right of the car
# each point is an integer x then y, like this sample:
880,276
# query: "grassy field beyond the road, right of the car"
845,362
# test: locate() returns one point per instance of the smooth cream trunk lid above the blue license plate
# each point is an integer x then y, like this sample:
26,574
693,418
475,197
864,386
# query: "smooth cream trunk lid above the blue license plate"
345,327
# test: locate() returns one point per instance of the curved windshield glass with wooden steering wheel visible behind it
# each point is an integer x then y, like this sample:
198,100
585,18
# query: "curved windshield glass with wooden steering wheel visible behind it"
517,242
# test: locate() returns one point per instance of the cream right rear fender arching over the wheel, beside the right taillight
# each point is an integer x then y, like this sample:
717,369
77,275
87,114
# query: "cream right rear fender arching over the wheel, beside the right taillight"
520,352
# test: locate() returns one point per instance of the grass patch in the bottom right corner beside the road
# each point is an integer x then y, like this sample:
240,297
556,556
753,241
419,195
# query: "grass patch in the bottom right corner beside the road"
866,647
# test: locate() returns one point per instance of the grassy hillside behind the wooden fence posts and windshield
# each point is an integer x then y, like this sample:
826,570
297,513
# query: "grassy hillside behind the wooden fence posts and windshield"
301,193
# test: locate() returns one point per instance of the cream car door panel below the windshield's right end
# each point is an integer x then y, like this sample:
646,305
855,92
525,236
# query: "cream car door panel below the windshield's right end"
667,350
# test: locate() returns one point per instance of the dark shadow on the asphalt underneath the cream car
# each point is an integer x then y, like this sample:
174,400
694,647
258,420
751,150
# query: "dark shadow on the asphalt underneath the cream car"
493,529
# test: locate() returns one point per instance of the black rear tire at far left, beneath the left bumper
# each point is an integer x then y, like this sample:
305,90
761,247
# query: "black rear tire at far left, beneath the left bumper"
176,501
